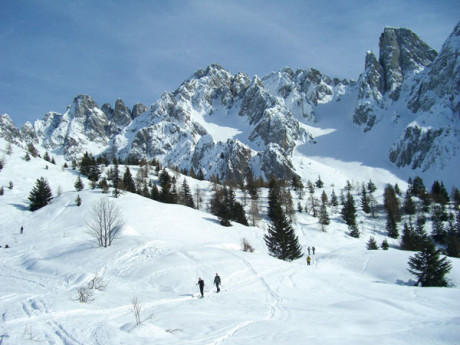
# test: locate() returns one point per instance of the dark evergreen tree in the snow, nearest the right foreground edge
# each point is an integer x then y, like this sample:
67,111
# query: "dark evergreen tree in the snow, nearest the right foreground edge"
429,267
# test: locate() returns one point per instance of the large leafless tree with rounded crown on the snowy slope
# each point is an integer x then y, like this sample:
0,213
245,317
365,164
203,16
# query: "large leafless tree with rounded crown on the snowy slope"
105,222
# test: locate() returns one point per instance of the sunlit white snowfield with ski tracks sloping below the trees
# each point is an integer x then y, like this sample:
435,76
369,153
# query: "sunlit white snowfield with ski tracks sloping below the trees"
349,295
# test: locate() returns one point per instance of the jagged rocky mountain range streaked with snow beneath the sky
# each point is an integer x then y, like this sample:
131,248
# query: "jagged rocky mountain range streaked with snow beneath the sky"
401,115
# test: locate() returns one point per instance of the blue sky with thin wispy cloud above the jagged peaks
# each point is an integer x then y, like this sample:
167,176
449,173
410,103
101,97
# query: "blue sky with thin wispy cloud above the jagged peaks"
53,50
